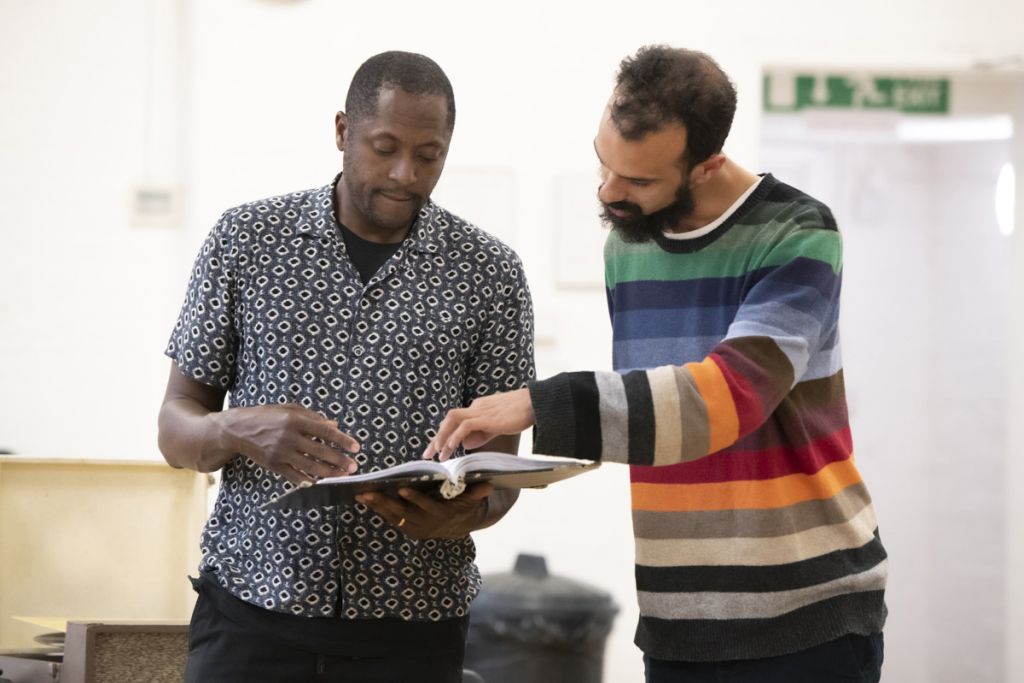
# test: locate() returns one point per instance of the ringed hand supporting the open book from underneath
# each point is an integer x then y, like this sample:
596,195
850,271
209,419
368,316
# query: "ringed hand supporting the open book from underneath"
420,516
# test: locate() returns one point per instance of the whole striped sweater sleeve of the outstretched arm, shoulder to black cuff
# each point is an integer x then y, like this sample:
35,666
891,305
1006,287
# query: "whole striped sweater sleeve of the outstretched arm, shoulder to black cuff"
785,332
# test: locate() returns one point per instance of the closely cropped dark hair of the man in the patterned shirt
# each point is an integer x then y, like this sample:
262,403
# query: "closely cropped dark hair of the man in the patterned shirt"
416,74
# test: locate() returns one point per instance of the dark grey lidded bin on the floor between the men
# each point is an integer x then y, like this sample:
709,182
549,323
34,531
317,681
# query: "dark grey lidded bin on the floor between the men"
531,627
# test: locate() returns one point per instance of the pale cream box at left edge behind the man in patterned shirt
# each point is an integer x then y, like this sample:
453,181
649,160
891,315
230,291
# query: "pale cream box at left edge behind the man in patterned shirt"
97,541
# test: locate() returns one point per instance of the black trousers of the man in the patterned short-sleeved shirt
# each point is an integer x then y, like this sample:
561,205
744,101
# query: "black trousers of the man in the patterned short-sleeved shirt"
224,649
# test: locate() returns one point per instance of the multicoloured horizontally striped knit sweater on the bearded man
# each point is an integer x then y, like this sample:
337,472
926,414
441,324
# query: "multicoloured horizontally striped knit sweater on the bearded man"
755,534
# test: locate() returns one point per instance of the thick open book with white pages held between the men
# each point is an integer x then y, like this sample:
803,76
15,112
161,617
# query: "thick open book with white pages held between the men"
448,479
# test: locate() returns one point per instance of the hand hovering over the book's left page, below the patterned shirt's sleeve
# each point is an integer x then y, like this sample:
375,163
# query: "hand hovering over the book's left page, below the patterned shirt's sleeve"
294,442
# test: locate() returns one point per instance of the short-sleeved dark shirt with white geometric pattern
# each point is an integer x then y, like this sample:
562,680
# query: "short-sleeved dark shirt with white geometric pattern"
276,314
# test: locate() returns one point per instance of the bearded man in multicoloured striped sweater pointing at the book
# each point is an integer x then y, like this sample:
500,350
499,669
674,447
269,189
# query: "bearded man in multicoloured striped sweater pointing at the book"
758,557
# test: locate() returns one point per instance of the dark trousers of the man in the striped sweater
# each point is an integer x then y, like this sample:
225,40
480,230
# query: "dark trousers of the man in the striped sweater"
848,660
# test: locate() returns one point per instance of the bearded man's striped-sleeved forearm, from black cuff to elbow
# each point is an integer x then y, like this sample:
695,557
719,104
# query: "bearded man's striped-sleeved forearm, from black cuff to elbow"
666,415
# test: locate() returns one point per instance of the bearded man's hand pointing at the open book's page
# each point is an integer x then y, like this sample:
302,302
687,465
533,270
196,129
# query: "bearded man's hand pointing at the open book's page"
488,417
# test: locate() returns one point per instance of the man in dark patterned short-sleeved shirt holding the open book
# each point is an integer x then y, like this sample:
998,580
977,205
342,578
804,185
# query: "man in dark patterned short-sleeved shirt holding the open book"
343,323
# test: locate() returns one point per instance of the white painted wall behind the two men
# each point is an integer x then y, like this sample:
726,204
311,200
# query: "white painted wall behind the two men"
234,100
